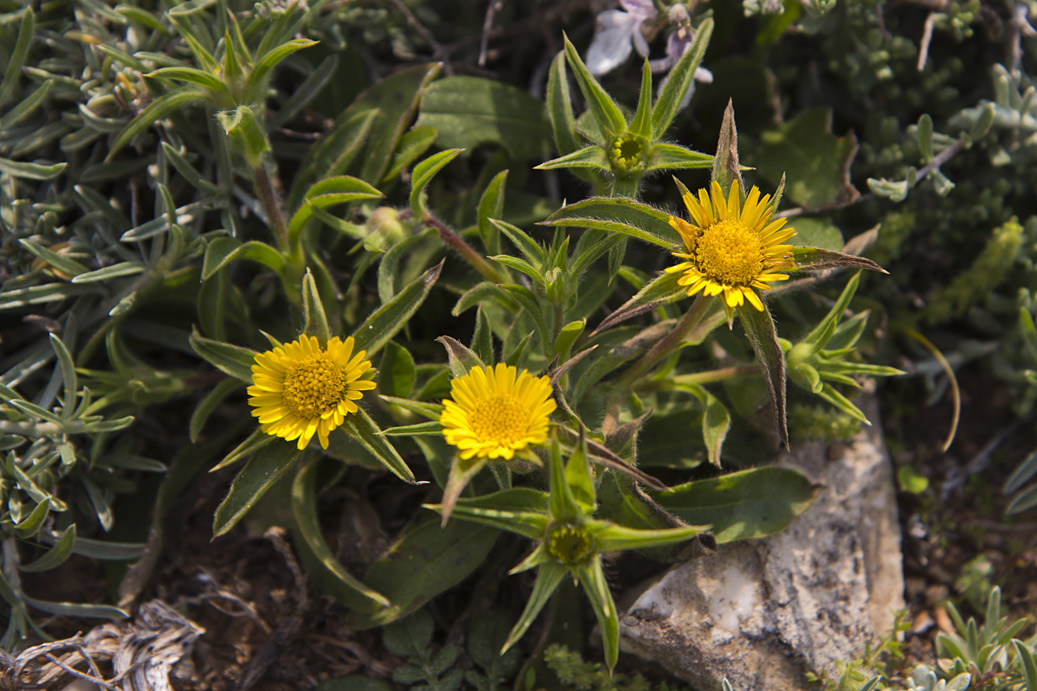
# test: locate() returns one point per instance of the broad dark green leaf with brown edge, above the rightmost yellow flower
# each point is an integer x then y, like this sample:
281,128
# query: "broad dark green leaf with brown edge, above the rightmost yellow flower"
817,162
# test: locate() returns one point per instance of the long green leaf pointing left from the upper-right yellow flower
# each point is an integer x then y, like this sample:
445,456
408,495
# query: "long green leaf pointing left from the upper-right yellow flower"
620,215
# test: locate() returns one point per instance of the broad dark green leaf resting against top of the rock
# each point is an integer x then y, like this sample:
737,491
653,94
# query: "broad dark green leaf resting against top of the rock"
741,506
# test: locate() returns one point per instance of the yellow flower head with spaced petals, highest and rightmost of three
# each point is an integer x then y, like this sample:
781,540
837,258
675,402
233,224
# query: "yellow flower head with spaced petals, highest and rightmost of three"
732,250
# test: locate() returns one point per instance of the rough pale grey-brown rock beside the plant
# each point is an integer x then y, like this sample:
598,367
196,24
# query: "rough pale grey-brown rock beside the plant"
765,613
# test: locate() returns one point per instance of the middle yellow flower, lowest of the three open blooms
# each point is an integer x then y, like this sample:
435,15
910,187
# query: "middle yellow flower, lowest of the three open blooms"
495,413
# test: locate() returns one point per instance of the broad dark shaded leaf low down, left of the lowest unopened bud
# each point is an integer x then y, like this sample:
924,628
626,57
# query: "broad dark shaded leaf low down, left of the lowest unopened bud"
424,562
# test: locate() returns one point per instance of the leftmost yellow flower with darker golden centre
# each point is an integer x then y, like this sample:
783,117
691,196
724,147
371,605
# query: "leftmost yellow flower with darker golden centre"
301,390
